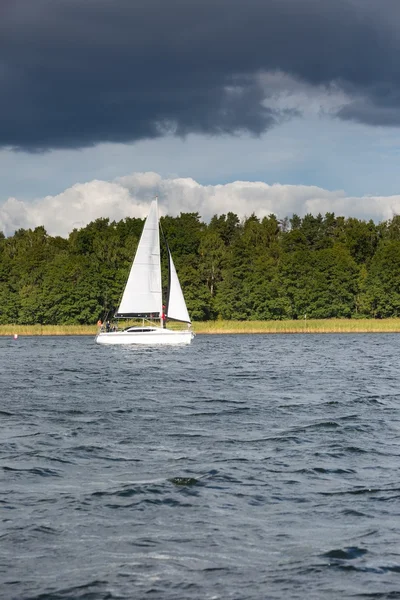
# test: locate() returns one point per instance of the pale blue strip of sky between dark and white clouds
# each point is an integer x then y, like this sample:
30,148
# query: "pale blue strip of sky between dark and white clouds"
326,152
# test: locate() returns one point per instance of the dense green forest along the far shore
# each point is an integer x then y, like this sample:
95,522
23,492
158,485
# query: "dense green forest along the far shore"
246,269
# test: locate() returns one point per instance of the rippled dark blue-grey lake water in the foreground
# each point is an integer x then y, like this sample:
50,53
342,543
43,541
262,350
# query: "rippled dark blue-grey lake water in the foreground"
240,467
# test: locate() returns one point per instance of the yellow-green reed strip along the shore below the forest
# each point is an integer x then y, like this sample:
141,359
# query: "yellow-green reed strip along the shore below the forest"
231,327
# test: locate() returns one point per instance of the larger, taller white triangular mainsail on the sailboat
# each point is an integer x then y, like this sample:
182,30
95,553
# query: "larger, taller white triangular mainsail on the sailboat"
142,294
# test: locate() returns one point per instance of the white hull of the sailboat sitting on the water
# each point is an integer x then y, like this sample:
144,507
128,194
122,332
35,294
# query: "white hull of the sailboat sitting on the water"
154,337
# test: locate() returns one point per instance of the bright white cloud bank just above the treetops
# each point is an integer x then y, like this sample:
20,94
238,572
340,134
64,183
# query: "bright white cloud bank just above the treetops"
130,196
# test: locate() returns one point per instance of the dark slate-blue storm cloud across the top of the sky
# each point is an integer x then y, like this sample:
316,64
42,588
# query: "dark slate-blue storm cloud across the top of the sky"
74,73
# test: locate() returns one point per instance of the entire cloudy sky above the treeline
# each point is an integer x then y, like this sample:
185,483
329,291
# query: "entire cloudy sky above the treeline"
265,106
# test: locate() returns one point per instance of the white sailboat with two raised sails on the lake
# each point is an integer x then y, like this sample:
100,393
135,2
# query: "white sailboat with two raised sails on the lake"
142,296
